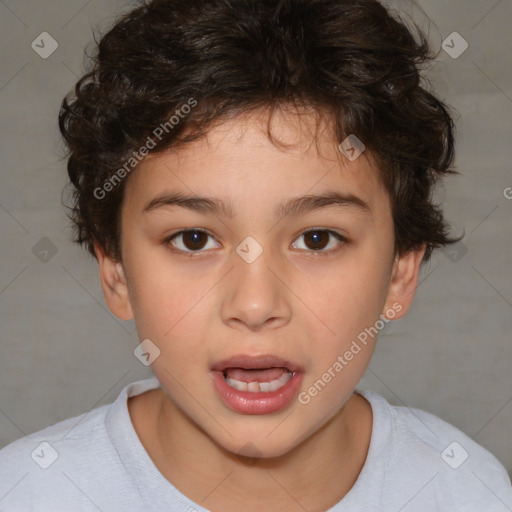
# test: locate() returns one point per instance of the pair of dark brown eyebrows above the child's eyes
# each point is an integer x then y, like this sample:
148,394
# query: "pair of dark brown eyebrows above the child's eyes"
294,206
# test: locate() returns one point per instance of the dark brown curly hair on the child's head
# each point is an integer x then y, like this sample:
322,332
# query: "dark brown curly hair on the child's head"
350,59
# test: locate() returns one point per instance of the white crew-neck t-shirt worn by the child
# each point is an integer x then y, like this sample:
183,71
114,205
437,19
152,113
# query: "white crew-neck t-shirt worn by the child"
96,462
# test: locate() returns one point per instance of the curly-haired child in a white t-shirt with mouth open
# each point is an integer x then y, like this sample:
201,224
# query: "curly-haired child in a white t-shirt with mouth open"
254,178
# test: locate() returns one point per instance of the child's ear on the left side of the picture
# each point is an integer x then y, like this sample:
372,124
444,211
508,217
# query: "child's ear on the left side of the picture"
113,283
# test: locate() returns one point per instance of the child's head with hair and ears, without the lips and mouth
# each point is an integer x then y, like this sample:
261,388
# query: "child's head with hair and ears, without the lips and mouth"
244,104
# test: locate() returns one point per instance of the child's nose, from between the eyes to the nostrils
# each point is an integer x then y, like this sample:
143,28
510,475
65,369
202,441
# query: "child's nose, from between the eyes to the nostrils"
256,296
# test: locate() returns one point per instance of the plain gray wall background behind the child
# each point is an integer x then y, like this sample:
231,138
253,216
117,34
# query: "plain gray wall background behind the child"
63,353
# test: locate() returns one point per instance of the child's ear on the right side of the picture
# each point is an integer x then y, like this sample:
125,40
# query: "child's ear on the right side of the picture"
403,282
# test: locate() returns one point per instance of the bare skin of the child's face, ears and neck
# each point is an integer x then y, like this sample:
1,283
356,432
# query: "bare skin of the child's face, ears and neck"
294,302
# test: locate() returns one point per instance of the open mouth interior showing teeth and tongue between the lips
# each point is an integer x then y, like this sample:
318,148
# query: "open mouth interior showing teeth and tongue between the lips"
263,380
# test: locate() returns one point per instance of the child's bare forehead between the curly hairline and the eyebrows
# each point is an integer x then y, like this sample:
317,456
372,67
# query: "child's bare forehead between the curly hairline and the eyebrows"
237,163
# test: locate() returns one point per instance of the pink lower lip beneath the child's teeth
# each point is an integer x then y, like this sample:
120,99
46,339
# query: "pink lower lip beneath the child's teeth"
246,402
